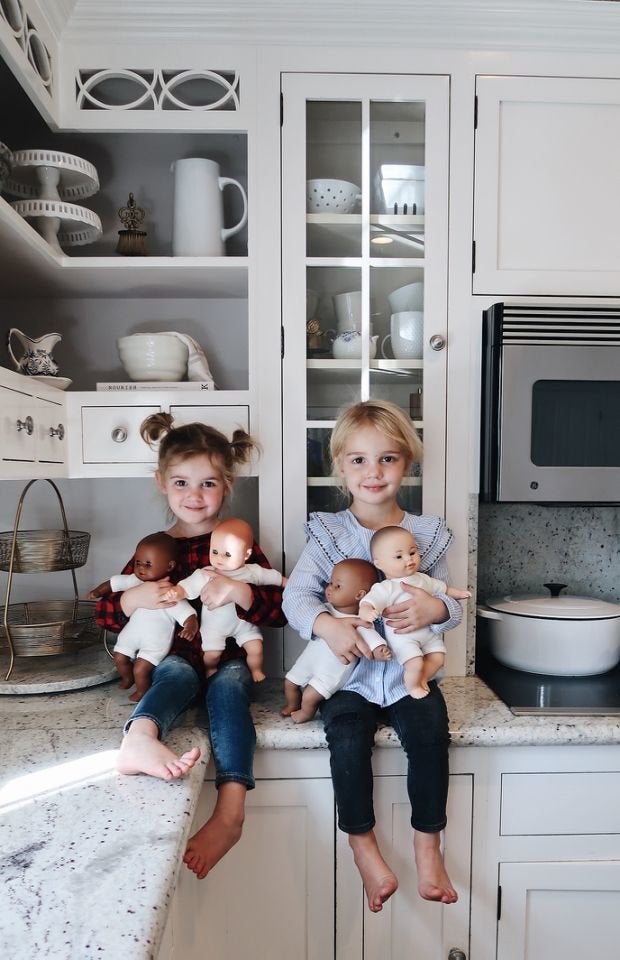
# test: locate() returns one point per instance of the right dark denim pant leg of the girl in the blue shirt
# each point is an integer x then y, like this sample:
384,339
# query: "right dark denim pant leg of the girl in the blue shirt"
422,728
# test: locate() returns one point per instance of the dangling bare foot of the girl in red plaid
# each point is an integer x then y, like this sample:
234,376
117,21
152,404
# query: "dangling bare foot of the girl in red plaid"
220,833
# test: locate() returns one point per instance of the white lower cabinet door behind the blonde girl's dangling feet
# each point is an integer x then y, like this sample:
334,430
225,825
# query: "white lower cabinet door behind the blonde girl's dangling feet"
407,926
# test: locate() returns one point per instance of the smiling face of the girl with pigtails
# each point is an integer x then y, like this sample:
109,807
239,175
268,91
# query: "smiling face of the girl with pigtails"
195,491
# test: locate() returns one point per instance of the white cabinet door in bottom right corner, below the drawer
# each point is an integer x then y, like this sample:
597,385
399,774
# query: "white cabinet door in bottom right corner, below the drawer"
569,910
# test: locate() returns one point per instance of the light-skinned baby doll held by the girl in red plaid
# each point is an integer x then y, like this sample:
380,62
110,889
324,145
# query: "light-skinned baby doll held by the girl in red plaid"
231,545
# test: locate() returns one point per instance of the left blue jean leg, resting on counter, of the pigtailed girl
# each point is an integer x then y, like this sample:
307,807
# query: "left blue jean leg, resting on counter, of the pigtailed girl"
174,686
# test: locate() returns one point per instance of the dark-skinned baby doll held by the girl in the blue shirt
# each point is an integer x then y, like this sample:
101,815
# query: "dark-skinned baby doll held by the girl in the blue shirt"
317,669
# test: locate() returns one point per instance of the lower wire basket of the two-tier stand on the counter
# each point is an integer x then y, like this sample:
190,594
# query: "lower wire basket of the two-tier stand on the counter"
41,628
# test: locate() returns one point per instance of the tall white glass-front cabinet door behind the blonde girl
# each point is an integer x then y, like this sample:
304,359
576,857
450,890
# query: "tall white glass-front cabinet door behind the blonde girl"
364,219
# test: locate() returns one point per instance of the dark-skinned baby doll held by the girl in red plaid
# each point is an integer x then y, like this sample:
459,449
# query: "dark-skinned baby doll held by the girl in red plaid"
147,638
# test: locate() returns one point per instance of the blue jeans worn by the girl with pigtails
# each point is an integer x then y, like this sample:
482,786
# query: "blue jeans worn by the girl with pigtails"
175,687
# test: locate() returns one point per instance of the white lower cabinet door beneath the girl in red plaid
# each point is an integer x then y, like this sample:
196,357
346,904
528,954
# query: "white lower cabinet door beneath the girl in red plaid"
273,894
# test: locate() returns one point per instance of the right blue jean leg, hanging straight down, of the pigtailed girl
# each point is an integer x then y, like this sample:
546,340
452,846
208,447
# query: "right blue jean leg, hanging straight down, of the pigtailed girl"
231,729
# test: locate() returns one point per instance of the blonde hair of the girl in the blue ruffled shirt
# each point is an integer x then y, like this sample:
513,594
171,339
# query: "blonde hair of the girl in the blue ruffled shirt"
387,418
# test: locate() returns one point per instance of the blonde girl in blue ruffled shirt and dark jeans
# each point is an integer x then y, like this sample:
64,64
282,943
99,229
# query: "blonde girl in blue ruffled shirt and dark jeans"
373,446
